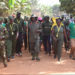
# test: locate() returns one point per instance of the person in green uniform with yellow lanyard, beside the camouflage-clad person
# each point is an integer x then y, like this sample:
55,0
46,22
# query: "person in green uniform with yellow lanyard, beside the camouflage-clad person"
11,41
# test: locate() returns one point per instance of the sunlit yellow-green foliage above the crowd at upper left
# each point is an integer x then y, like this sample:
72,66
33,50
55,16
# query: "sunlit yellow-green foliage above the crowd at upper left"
10,6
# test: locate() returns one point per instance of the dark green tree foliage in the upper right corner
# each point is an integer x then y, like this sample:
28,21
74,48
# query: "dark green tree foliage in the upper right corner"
68,6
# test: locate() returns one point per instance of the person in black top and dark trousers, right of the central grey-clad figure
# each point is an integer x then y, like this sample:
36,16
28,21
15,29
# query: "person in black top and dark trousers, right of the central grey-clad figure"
46,26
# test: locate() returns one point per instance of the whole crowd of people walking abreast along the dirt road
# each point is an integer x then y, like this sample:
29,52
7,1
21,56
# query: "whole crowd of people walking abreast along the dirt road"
52,33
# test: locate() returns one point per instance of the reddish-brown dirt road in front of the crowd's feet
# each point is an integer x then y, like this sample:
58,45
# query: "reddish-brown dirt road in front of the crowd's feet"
46,66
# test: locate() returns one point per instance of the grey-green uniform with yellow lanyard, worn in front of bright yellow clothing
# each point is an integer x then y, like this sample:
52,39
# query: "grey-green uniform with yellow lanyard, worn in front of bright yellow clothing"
59,41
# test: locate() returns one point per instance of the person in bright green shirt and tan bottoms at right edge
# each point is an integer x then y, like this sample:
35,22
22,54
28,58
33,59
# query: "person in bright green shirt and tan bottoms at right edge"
72,37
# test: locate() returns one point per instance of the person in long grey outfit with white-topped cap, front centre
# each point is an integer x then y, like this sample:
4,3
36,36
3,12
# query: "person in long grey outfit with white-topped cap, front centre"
34,39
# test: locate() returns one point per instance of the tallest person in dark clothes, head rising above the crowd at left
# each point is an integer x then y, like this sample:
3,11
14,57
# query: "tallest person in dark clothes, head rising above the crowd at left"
20,23
